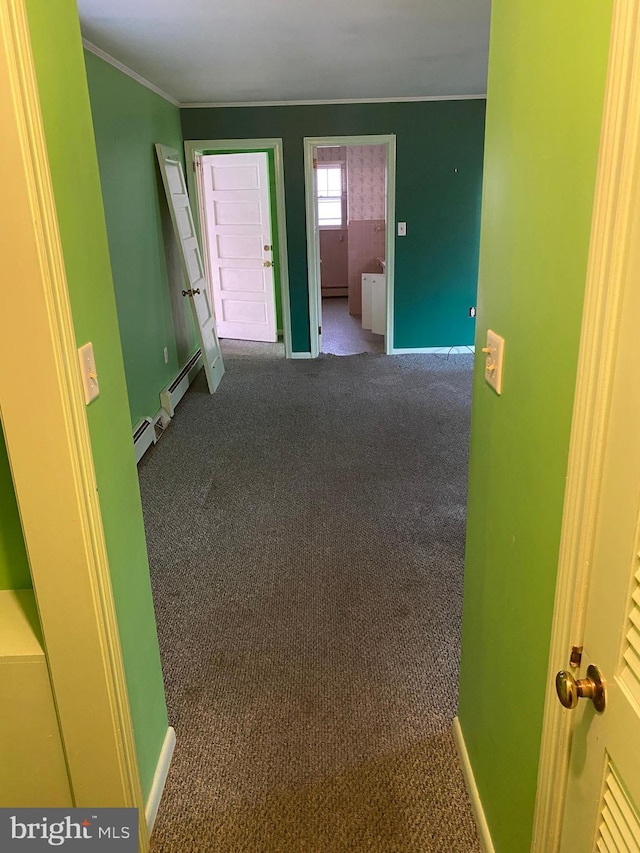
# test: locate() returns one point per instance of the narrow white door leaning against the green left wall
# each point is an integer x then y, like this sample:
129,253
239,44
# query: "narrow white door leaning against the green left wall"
197,292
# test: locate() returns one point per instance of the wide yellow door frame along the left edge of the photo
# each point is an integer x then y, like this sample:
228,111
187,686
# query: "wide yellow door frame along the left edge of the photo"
62,528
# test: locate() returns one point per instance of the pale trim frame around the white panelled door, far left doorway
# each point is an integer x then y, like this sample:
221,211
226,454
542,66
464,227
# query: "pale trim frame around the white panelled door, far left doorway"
193,147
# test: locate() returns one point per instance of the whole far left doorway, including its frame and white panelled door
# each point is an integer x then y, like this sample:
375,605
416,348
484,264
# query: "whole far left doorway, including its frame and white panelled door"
248,275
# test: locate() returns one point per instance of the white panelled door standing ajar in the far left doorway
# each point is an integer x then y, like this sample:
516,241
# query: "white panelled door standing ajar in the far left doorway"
237,229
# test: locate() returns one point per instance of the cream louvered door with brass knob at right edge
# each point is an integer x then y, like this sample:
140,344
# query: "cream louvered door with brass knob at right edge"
603,794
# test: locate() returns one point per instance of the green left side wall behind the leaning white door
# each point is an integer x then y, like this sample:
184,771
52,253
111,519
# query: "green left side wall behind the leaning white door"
128,120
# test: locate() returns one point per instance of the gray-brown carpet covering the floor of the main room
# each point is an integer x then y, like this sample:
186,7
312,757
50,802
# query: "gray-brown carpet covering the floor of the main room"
306,533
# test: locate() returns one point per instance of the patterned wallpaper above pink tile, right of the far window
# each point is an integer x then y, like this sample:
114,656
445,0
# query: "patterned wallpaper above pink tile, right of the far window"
366,166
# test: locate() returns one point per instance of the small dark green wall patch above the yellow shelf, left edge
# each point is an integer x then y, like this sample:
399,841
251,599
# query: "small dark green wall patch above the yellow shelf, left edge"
14,567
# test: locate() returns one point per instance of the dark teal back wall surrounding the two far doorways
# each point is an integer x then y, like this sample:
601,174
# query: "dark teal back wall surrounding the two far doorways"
437,262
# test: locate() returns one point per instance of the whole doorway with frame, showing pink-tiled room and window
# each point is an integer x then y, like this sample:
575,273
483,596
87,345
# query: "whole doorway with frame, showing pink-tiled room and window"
350,201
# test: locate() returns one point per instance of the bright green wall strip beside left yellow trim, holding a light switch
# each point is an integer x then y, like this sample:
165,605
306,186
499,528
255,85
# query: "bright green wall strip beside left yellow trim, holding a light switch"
62,85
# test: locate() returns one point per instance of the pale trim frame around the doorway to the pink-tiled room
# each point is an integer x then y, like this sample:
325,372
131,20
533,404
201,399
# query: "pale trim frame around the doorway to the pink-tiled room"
313,232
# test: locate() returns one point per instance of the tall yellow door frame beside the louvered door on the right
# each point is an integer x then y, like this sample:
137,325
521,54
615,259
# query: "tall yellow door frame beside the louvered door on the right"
617,177
